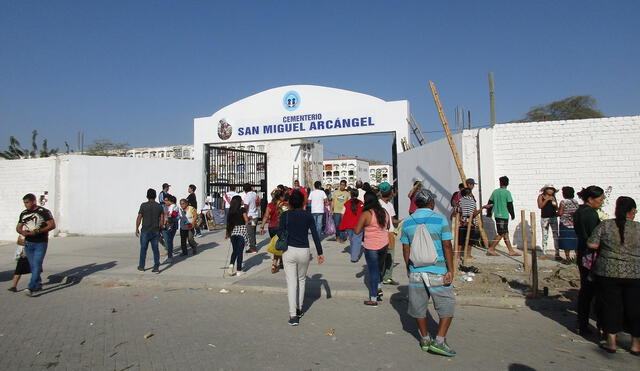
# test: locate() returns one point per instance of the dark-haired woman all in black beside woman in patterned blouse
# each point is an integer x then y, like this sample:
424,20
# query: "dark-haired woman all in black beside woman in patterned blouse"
585,220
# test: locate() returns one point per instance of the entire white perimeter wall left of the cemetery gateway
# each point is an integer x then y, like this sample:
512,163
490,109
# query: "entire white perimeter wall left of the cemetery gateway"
88,194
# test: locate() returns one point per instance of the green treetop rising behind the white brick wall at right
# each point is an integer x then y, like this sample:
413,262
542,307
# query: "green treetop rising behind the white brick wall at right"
571,108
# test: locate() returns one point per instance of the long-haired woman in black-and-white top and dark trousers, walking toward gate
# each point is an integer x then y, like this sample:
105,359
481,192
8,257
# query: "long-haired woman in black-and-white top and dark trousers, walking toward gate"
237,232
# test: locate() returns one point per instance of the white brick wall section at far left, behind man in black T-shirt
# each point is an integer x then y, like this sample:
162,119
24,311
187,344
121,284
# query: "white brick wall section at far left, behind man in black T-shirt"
19,177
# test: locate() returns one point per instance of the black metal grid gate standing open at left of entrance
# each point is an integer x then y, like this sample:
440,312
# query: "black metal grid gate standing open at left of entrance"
227,167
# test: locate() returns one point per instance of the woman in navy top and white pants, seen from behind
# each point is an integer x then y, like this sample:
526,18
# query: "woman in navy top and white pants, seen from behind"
298,223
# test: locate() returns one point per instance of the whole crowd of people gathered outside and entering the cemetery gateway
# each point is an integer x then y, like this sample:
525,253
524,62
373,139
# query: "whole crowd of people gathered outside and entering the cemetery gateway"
607,251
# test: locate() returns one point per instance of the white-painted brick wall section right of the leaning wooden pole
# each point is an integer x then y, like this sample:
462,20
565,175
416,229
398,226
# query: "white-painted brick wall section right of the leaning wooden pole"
577,153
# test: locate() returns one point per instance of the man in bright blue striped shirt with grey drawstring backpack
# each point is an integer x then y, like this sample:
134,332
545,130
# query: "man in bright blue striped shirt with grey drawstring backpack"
428,255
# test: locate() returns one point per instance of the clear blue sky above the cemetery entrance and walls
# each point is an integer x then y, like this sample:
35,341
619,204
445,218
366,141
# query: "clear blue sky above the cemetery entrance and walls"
140,71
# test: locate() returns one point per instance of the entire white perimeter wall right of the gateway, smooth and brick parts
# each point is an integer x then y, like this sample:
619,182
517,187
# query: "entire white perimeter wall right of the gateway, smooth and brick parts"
577,153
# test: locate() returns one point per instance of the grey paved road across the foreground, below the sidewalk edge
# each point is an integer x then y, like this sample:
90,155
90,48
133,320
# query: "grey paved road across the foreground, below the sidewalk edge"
92,326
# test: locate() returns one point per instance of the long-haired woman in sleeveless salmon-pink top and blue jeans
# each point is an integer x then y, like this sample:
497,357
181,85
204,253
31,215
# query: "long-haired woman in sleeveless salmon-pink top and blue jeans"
375,223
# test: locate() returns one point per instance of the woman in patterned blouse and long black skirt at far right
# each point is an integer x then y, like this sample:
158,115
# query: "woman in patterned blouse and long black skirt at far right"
617,271
